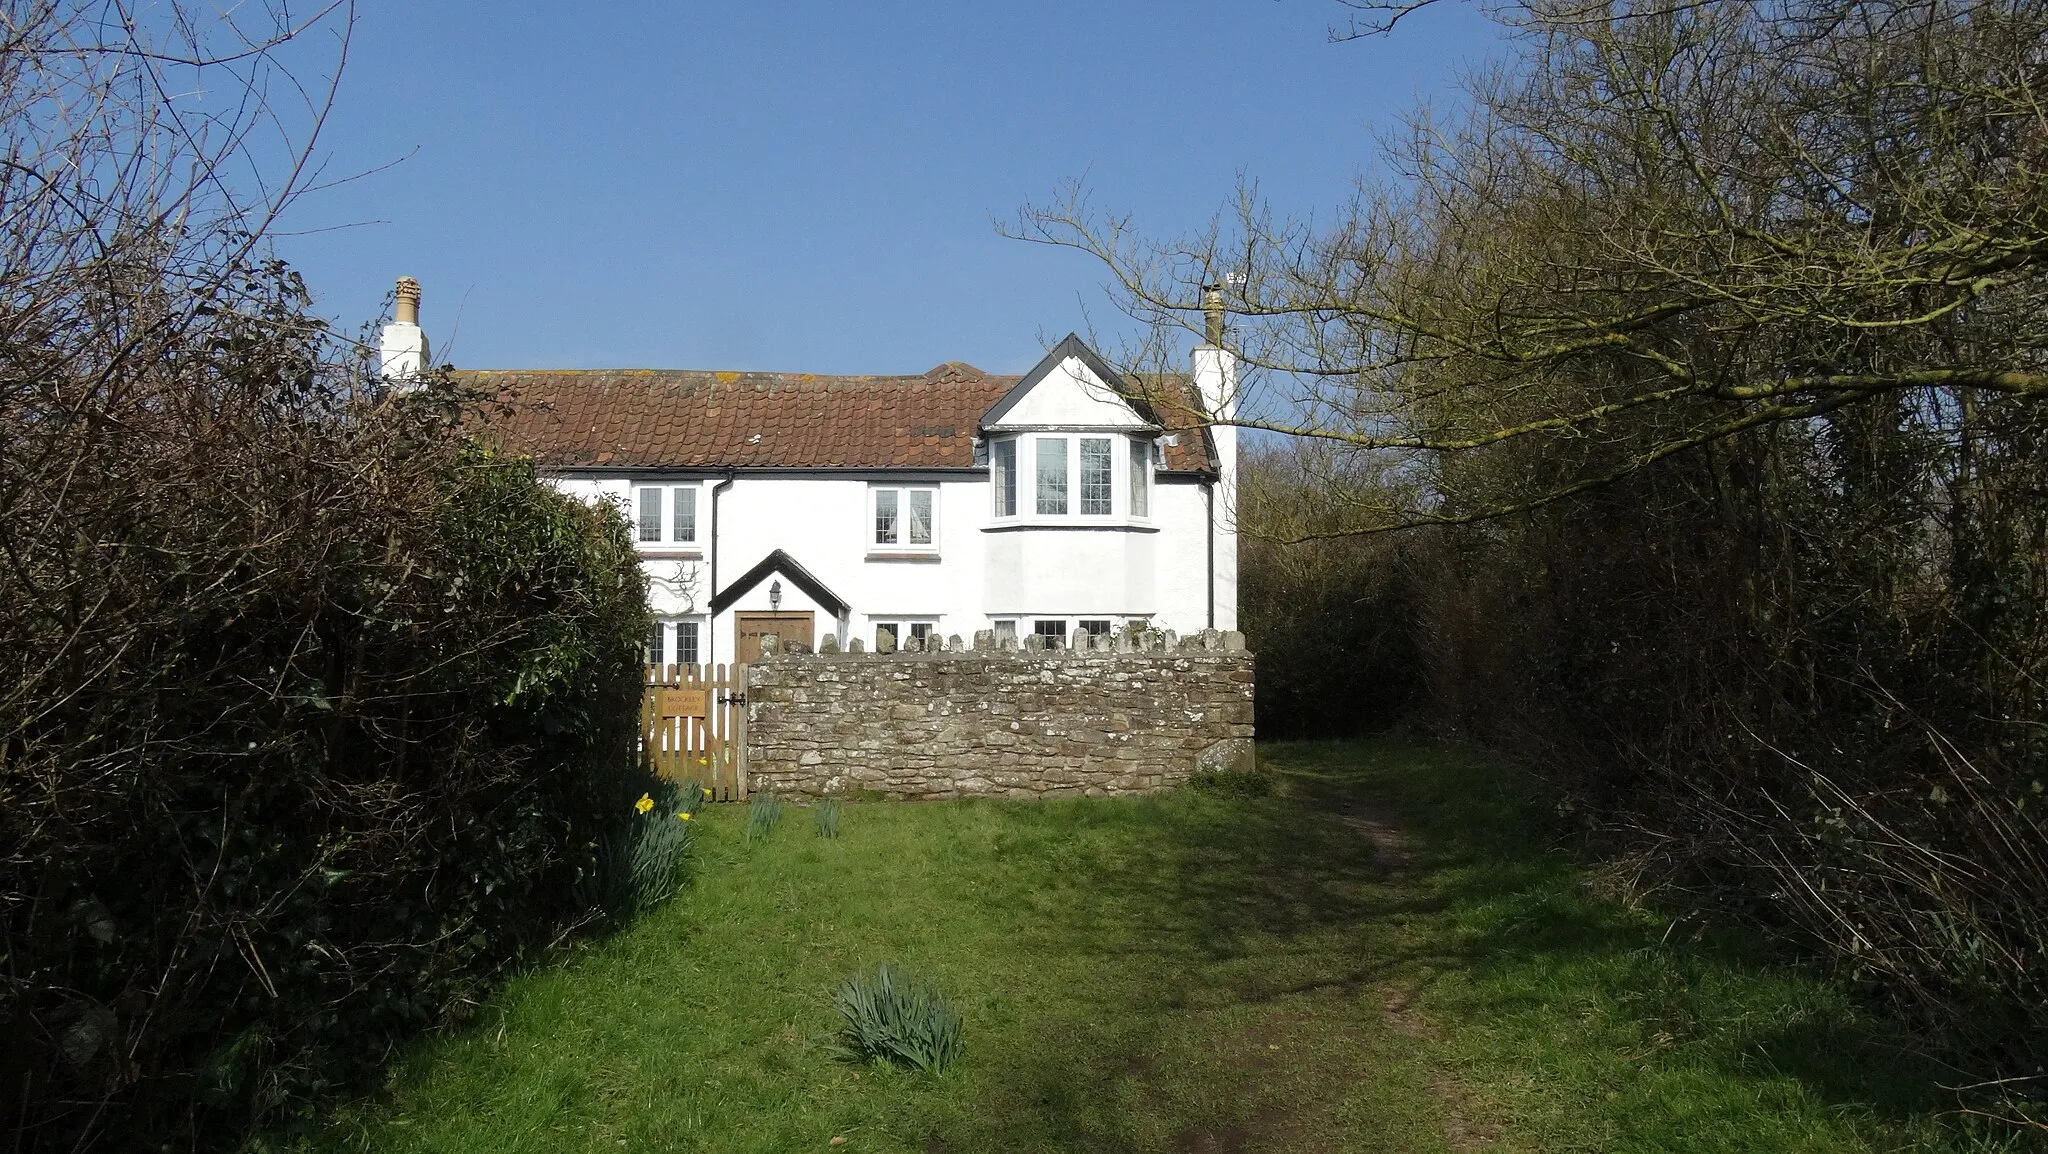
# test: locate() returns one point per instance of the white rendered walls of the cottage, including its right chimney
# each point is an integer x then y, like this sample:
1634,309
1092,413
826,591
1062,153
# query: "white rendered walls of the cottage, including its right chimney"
1156,567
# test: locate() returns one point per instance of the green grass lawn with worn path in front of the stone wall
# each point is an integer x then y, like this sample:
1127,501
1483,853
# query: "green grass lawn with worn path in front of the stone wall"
1168,975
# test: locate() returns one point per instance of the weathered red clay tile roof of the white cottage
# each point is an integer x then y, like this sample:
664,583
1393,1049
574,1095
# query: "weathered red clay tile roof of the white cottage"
699,419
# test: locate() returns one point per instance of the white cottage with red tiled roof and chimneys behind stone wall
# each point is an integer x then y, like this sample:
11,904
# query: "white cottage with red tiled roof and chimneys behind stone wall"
1066,501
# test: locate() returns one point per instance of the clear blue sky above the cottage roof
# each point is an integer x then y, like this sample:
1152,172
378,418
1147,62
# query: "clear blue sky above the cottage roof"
812,188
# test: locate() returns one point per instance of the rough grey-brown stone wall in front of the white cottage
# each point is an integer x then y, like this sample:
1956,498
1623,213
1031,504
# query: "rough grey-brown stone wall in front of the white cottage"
947,720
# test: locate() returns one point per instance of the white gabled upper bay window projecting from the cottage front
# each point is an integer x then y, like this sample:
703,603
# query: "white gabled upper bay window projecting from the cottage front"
1072,446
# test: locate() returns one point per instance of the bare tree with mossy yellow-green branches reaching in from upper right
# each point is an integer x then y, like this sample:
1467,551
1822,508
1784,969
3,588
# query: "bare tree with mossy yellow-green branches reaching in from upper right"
1662,229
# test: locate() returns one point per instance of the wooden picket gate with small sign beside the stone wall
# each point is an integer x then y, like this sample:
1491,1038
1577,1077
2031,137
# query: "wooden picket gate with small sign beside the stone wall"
693,727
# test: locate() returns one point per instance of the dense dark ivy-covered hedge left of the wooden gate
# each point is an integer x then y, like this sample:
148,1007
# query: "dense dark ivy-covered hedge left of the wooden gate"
316,716
